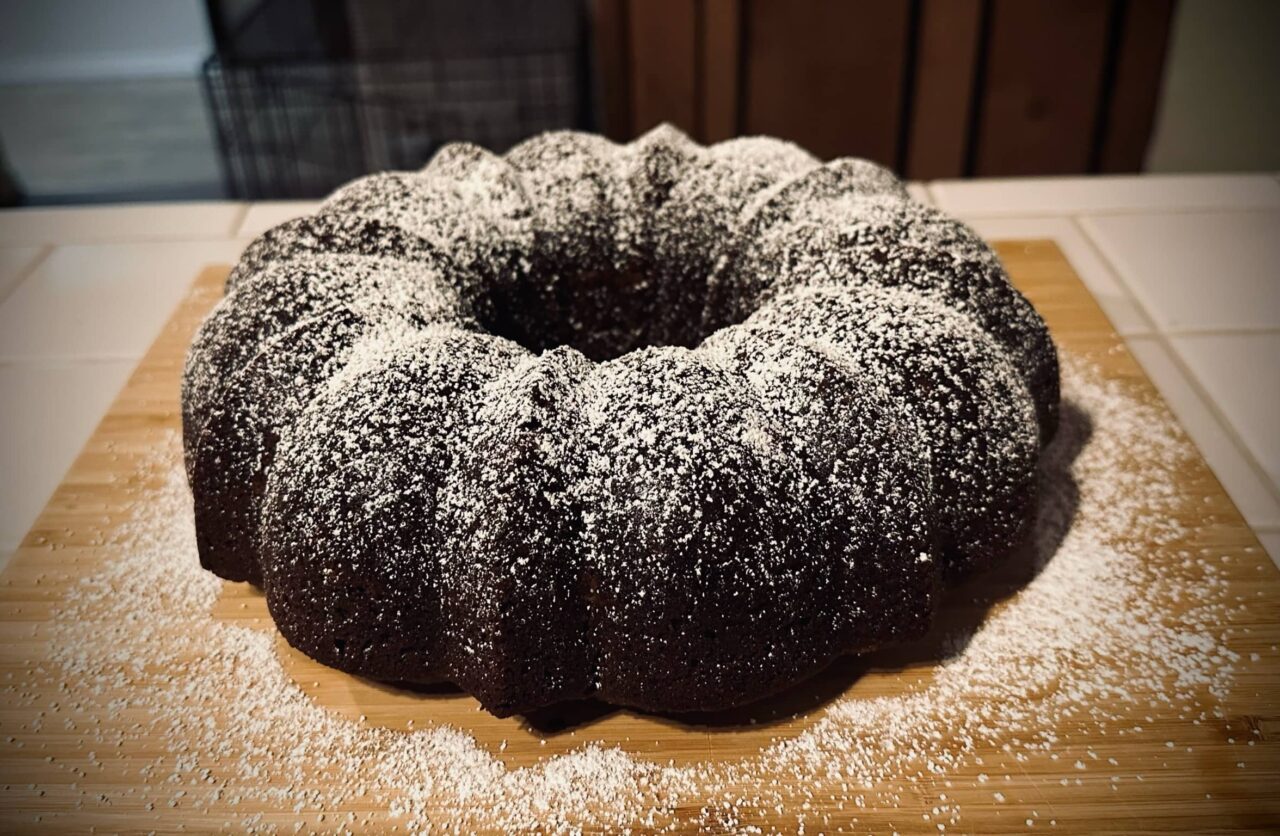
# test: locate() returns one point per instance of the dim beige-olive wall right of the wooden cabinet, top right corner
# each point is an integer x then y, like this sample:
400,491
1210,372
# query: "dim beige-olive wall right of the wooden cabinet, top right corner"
1222,98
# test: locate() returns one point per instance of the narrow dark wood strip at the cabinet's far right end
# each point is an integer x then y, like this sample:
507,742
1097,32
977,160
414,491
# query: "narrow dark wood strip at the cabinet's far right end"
1136,88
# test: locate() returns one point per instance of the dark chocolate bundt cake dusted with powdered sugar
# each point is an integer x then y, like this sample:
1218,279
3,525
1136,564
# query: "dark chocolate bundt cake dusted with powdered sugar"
662,424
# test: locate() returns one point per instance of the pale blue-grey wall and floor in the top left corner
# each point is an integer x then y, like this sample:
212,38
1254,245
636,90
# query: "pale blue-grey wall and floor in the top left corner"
100,100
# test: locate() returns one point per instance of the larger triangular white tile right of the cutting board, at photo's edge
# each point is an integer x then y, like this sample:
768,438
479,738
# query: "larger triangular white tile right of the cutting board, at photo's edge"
1241,373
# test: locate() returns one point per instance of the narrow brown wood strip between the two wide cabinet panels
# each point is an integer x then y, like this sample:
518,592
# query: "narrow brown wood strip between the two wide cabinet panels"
947,61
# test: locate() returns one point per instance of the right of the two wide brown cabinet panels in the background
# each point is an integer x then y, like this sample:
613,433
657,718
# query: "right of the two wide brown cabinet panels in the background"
1040,106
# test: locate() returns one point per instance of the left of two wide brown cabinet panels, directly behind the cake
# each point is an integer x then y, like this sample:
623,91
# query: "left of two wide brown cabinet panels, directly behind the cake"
828,75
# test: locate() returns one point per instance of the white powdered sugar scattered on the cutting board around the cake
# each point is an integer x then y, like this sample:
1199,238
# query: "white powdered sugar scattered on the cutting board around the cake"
1092,632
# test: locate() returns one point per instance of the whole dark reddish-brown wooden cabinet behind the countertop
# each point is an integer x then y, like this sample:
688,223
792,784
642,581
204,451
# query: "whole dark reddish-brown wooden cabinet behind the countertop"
931,88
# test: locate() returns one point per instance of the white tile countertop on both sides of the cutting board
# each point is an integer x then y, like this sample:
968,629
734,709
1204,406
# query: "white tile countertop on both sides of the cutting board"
1187,268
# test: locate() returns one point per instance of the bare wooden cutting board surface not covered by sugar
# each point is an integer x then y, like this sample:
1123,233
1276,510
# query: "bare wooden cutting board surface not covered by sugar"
47,770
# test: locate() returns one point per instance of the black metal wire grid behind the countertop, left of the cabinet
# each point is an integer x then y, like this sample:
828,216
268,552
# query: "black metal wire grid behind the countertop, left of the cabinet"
299,129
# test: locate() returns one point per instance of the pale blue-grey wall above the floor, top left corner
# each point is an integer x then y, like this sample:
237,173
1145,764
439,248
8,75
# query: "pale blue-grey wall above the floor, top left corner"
74,40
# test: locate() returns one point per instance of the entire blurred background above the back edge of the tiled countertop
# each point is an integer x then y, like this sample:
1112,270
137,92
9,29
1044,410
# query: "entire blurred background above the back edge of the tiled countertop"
282,99
